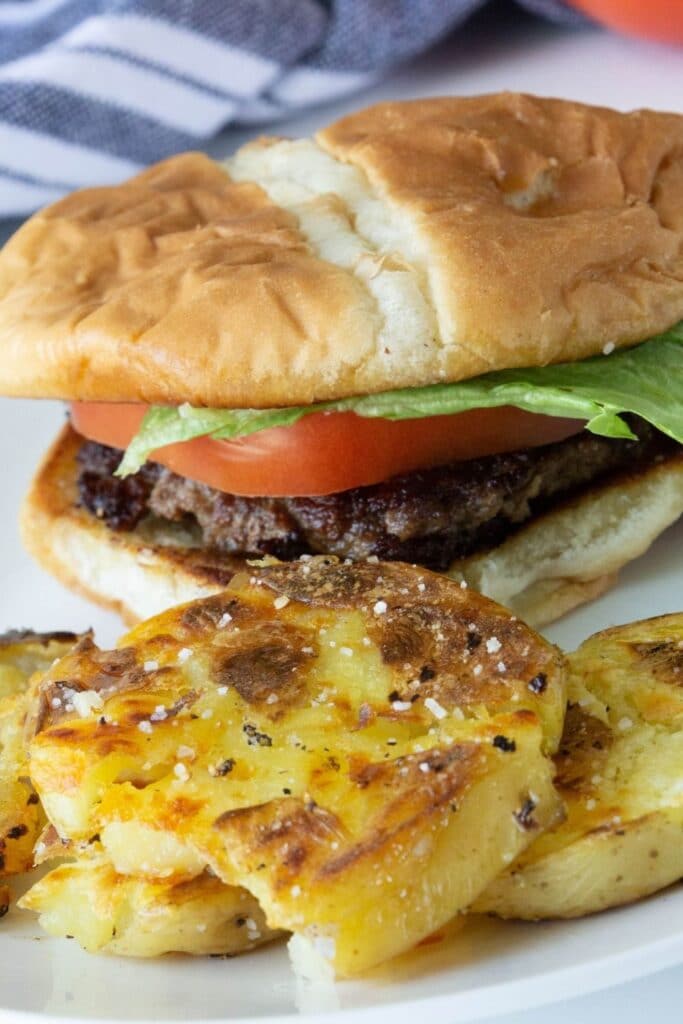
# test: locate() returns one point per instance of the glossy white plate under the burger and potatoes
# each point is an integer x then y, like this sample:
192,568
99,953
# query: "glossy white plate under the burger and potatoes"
485,968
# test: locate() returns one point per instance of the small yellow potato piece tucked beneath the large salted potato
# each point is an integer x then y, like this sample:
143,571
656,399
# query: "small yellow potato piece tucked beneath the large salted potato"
139,917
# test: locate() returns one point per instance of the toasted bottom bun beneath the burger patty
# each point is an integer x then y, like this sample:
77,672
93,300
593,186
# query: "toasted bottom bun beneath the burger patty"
557,563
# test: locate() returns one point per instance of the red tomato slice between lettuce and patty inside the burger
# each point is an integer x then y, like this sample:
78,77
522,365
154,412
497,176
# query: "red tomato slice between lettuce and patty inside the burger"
325,453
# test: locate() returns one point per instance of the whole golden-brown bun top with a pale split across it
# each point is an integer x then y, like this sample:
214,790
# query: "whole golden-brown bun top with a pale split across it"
408,244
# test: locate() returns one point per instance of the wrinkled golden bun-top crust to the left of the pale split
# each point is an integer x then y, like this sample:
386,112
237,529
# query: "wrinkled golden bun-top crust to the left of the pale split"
178,286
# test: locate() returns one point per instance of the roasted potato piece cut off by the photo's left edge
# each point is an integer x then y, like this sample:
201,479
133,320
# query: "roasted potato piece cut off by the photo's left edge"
22,655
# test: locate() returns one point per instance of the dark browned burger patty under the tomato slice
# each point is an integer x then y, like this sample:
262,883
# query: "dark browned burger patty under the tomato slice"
429,517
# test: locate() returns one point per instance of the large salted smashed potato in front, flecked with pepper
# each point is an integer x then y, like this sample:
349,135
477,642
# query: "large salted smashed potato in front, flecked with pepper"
360,747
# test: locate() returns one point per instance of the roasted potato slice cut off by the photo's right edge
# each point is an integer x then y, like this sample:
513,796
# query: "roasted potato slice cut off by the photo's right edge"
620,771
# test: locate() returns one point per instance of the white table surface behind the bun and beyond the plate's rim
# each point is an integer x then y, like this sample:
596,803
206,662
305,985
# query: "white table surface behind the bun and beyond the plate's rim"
501,51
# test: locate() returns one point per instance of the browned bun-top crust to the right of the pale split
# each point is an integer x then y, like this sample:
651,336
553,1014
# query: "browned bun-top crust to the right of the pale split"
551,228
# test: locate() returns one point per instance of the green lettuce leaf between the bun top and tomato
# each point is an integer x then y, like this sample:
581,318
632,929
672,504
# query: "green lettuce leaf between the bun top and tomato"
647,380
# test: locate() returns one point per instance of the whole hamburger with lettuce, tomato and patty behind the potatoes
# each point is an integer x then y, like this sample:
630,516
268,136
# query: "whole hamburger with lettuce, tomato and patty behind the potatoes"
445,332
